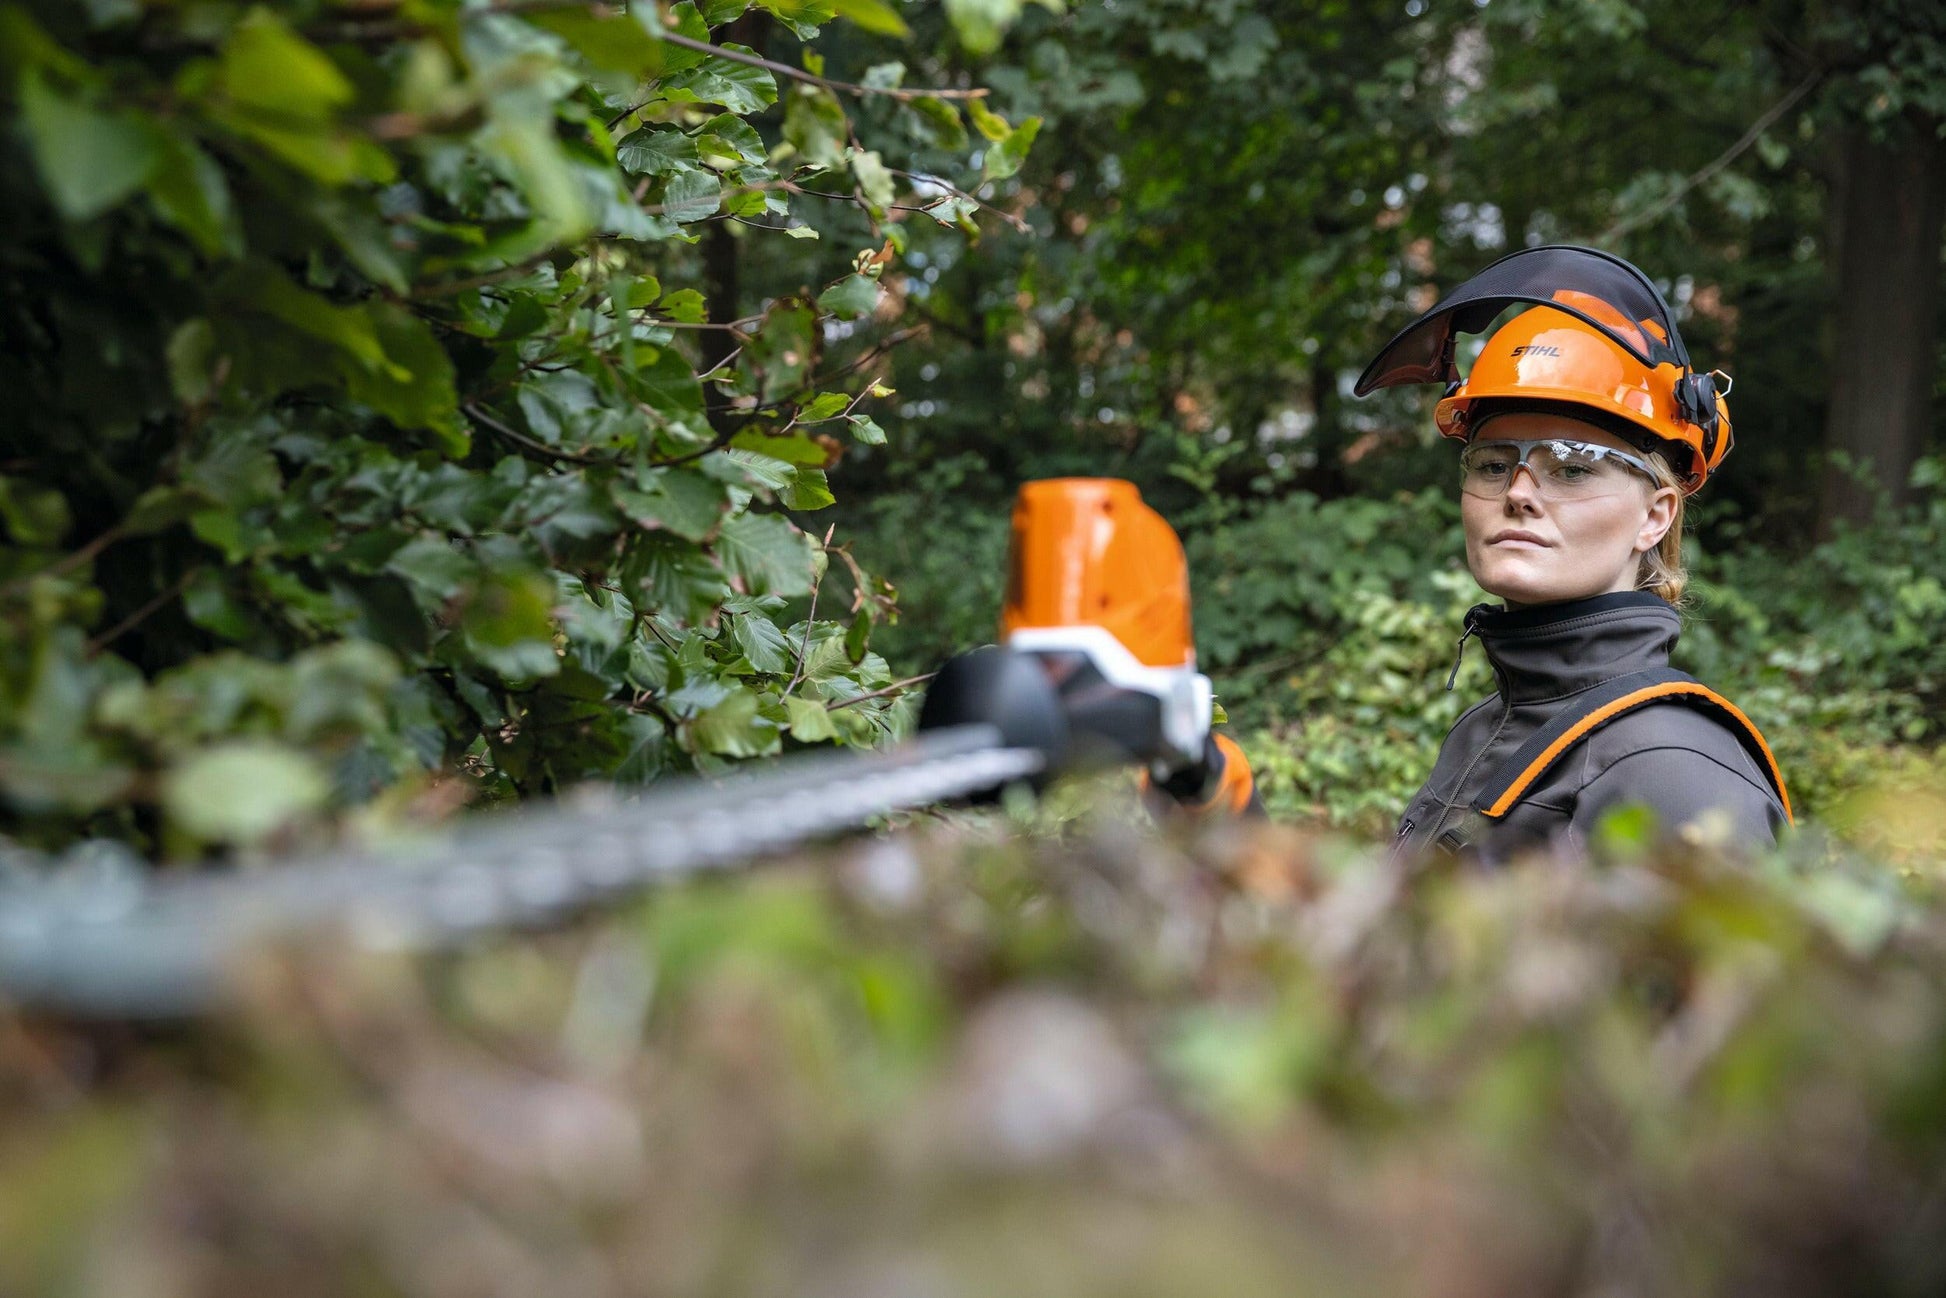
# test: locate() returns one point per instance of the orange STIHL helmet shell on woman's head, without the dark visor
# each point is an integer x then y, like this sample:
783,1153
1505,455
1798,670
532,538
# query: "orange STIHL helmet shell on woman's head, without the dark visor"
1552,361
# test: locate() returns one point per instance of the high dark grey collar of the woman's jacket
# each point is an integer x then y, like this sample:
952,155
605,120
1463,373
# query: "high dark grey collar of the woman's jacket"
1562,649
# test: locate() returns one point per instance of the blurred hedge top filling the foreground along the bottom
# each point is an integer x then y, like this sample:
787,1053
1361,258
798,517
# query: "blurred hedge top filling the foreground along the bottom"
1093,1064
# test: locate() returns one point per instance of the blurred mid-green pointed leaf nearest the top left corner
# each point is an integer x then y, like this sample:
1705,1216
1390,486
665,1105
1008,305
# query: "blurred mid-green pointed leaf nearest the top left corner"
89,161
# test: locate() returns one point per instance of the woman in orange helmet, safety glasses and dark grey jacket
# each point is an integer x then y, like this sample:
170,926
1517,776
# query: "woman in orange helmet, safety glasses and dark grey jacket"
1585,431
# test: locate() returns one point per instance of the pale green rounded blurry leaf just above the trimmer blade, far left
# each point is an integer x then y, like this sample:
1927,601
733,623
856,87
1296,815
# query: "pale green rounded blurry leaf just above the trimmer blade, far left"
242,793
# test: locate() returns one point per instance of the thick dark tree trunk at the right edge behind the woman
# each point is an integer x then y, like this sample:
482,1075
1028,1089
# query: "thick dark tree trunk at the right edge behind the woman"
1889,205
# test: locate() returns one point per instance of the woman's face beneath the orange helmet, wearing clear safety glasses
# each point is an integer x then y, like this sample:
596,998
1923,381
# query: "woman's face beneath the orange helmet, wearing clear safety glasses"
1529,550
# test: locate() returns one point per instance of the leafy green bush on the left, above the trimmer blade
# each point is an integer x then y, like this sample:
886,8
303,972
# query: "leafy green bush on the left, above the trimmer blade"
371,421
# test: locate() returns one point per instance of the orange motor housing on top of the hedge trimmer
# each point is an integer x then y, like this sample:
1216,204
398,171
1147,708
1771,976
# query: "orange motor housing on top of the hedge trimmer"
1089,552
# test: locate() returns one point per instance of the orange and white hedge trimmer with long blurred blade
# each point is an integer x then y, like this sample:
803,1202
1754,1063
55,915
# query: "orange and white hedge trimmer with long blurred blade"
1095,668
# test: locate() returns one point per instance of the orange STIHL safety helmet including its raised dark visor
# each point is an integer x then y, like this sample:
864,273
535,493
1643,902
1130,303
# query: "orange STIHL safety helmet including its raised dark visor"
1597,343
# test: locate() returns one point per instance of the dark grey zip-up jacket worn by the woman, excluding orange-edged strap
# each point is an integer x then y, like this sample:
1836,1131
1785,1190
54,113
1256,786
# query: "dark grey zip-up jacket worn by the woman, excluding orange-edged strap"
1678,762
